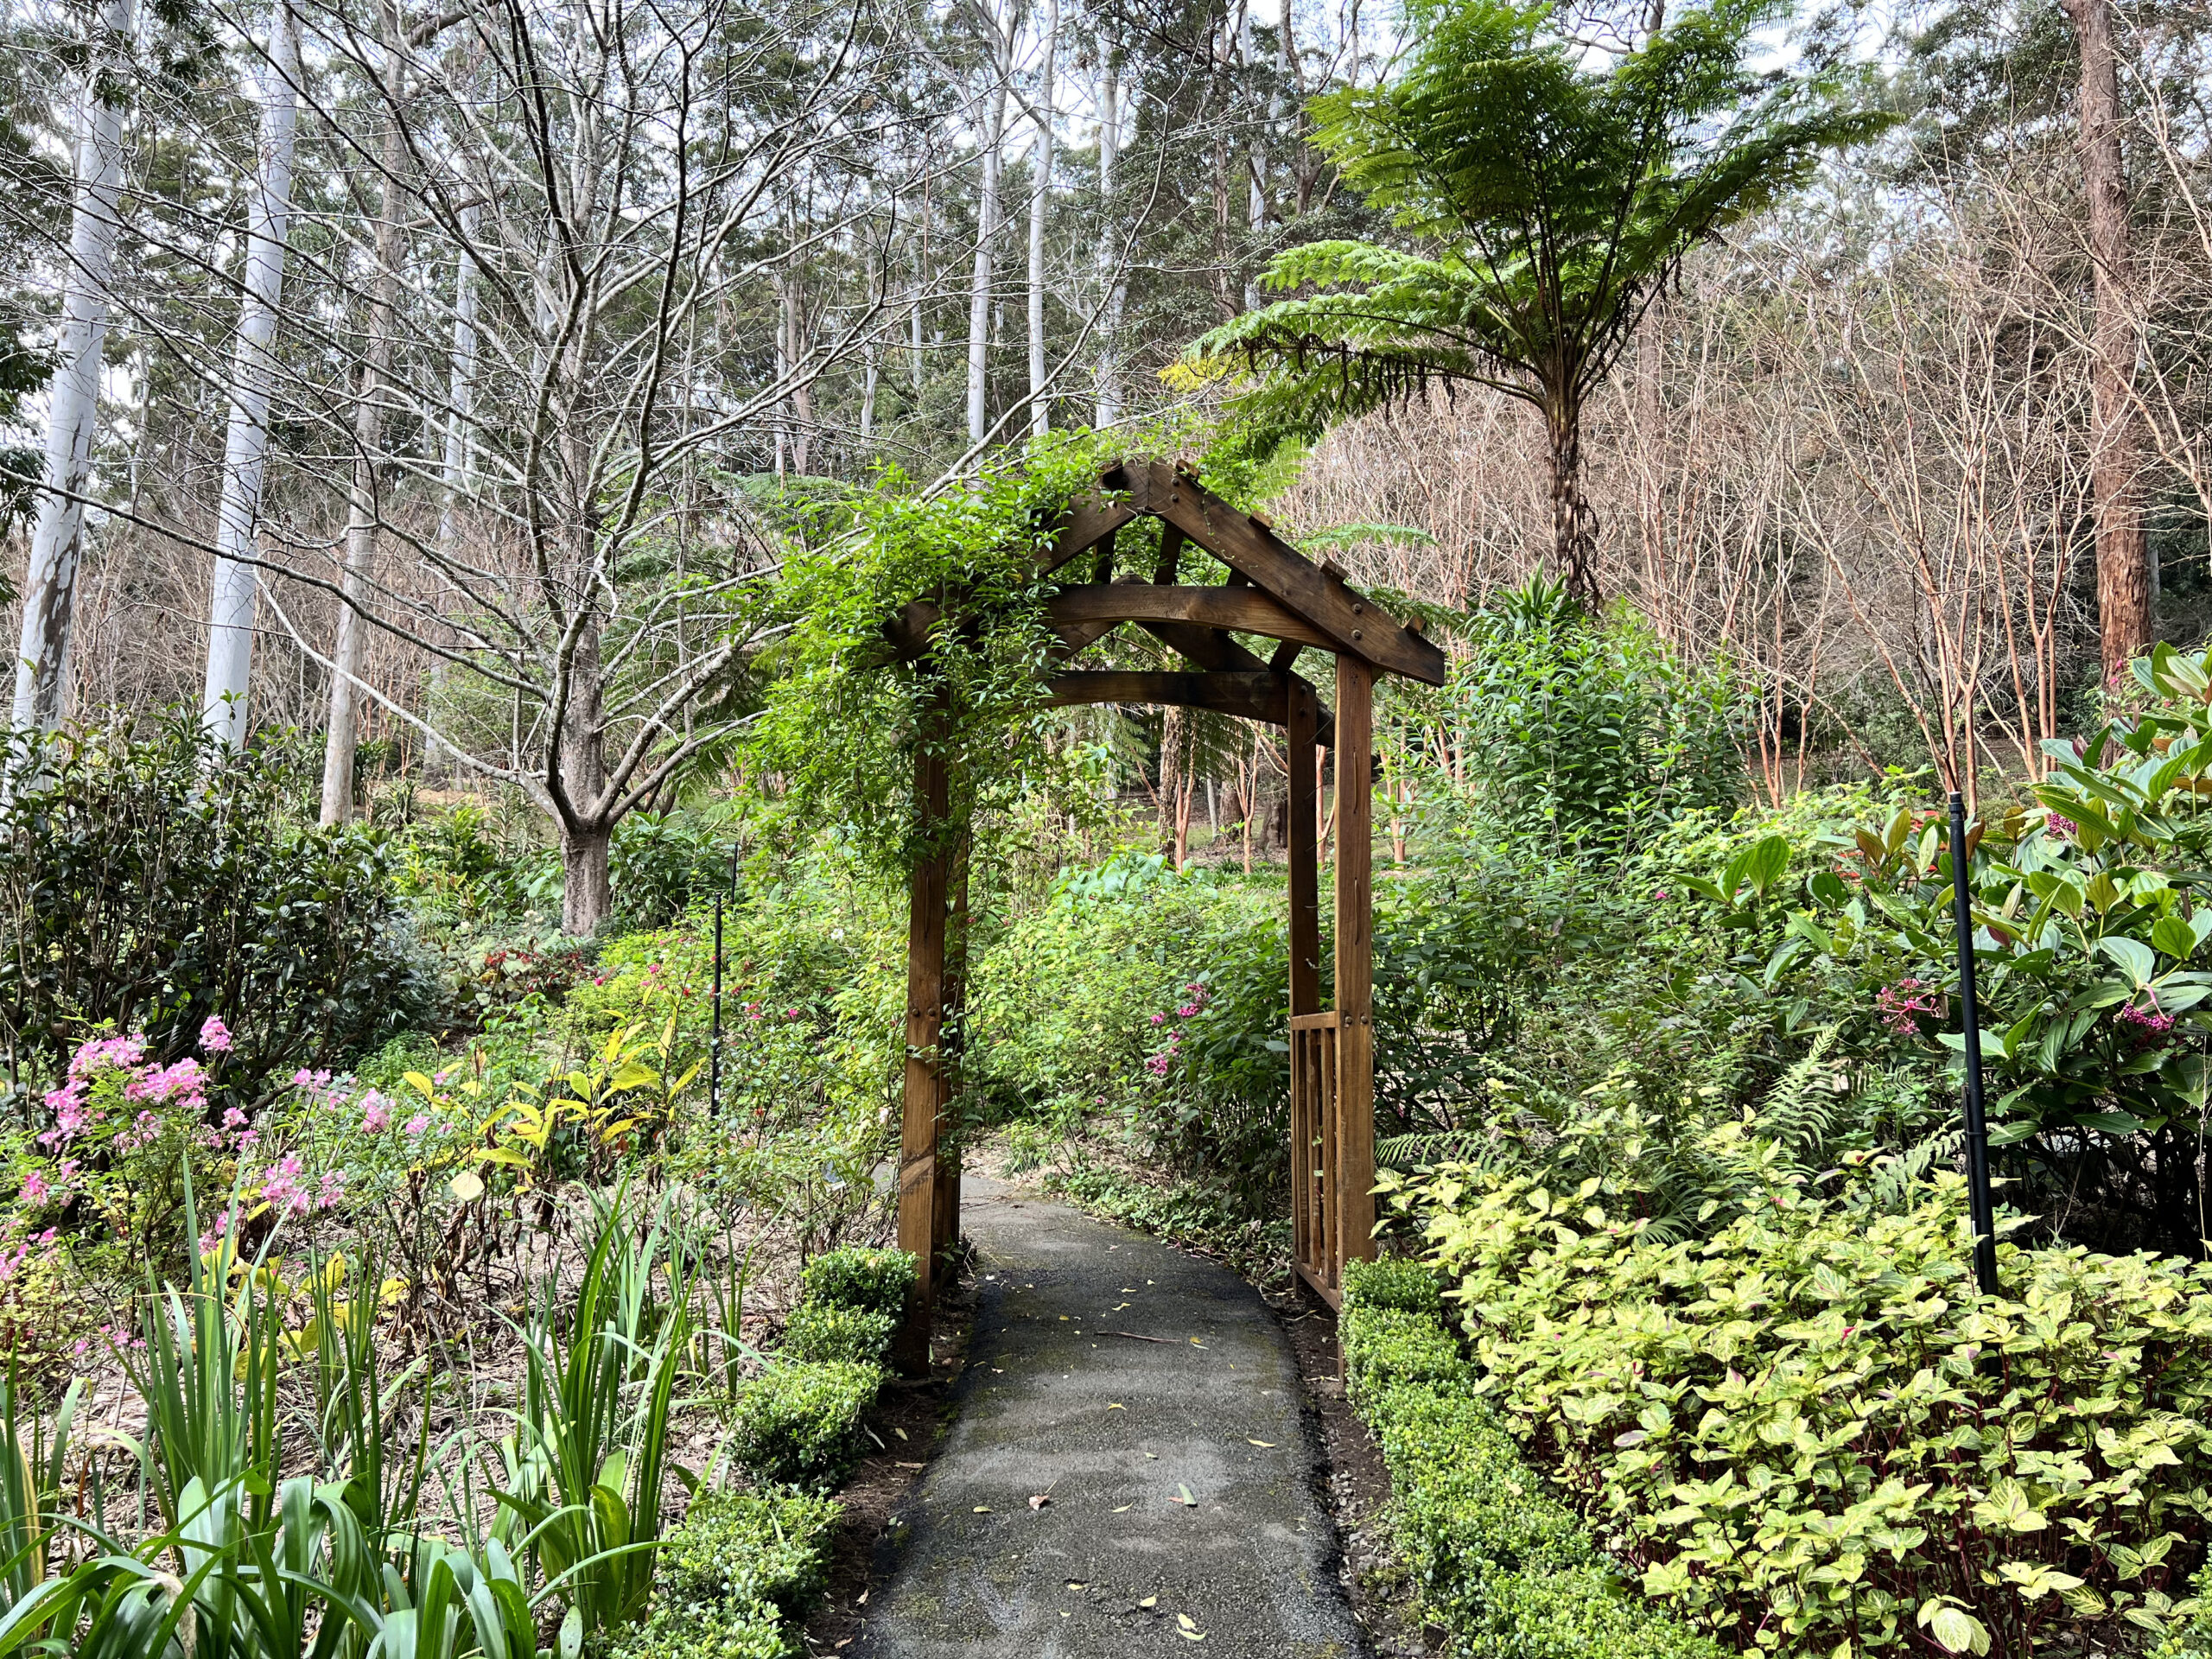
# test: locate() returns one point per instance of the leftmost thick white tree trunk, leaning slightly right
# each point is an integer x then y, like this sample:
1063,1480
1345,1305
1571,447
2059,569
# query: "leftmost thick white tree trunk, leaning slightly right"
74,401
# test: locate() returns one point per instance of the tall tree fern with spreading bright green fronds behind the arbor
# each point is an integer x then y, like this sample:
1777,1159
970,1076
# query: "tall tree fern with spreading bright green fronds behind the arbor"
1541,200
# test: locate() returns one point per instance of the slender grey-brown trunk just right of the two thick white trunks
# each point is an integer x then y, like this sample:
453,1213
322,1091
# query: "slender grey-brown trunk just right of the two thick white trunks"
362,510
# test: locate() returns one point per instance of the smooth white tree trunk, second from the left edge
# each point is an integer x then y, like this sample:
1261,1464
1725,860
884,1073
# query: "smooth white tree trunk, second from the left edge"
253,375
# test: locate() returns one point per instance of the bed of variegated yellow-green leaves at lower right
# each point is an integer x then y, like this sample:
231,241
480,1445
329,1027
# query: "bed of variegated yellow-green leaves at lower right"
1813,1434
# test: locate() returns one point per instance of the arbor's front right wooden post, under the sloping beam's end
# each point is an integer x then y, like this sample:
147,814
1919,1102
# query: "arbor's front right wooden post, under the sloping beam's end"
1355,961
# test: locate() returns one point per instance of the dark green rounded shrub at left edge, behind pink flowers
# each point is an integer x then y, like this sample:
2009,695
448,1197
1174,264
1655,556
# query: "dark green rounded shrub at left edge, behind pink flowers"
149,886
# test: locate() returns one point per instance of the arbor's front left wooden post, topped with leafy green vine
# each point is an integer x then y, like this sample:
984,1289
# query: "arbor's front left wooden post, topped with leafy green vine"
919,1182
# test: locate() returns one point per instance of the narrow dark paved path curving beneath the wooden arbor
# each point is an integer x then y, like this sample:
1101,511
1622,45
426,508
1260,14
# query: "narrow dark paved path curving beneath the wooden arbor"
1151,1399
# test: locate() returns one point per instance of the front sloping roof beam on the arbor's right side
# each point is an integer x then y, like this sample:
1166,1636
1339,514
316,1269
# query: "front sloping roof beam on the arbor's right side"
1350,620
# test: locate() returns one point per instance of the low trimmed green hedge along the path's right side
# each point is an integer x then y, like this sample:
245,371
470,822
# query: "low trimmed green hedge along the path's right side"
1496,1561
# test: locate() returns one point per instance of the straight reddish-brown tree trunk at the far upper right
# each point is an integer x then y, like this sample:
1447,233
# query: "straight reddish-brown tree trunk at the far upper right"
2118,457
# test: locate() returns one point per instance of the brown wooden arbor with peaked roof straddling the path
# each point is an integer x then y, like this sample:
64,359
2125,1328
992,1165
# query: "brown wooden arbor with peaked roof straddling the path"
1275,594
